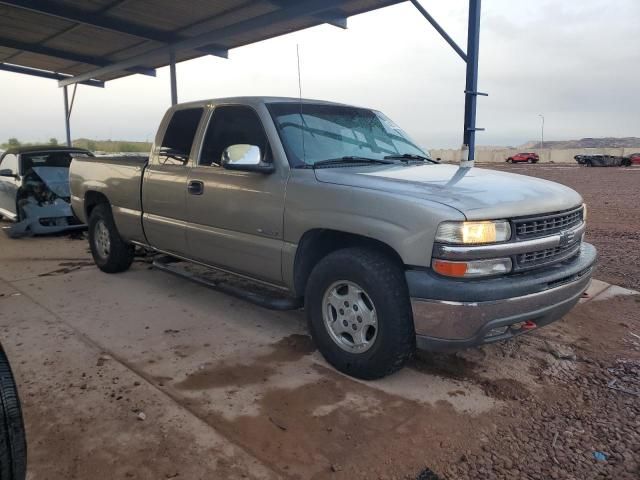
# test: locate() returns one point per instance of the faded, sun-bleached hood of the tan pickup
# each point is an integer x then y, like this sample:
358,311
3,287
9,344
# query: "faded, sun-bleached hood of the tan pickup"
478,193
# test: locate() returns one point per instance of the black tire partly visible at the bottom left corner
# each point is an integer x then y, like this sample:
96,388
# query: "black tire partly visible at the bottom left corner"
13,444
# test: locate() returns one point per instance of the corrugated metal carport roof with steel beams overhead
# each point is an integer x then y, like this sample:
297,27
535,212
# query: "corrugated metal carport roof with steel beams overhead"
74,37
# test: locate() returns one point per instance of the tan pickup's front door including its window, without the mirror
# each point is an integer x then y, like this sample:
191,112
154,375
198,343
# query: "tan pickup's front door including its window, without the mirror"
236,221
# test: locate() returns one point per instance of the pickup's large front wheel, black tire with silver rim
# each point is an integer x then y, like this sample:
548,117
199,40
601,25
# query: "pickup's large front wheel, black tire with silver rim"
384,291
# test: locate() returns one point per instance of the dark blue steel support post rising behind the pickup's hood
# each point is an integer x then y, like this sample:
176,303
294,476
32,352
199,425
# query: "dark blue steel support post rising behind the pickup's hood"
471,88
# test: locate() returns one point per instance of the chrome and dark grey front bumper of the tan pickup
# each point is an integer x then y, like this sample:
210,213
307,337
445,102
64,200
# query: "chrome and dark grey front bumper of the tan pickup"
452,314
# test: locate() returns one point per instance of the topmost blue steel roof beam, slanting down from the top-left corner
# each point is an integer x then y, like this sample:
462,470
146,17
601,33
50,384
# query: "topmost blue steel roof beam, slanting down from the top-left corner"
94,19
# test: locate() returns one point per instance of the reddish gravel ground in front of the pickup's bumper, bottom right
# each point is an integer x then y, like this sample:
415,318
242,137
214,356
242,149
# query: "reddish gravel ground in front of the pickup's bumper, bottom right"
574,415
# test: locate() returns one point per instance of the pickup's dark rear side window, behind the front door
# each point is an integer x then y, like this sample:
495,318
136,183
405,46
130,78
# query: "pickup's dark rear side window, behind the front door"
178,138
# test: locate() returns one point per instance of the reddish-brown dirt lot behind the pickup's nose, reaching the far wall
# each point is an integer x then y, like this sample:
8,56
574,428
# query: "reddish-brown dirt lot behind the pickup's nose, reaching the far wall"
613,217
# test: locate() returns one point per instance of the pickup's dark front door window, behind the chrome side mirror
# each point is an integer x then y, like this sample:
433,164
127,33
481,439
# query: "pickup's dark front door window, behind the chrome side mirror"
233,125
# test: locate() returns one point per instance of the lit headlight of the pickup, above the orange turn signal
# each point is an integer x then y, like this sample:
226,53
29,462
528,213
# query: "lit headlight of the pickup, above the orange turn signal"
473,232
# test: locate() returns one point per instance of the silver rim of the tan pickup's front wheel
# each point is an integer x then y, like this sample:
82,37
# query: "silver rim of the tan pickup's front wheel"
350,316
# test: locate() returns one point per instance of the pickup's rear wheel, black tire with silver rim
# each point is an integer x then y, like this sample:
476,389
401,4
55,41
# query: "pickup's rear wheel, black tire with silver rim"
110,253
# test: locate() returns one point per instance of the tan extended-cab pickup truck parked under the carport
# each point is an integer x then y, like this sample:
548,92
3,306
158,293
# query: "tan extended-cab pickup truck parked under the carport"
386,249
